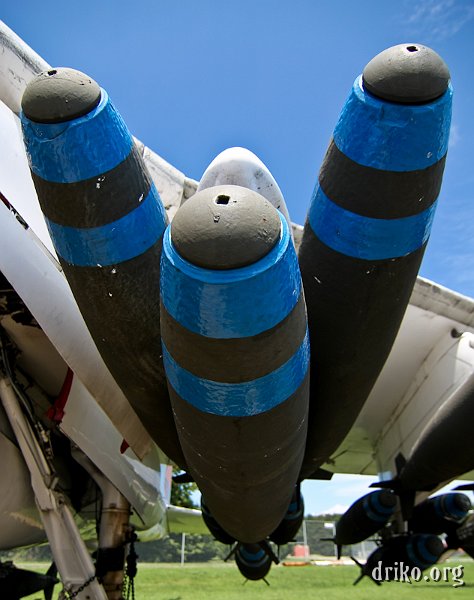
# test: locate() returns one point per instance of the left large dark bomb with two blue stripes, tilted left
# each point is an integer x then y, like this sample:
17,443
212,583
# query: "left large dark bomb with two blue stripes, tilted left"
106,221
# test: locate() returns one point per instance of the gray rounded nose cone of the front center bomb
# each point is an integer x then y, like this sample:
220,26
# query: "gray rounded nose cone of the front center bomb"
225,227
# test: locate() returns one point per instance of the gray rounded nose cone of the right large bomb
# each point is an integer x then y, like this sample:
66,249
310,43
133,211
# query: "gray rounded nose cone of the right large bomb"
407,73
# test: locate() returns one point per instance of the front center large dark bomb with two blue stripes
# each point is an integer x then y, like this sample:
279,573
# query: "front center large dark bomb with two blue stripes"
236,355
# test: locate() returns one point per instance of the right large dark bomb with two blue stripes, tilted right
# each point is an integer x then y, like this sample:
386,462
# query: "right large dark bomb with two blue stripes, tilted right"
366,231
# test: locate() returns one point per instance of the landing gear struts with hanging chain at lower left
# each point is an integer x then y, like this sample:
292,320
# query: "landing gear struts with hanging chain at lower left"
80,578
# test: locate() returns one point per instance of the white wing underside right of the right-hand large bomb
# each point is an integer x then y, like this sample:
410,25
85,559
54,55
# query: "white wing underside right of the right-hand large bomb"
432,357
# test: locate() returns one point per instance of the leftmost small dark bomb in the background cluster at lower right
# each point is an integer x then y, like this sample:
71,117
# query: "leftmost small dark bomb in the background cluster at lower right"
365,517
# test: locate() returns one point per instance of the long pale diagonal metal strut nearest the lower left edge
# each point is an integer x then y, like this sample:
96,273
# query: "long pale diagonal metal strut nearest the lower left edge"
69,551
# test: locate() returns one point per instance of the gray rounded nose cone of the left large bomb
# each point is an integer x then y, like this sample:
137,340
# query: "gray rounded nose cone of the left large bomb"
59,95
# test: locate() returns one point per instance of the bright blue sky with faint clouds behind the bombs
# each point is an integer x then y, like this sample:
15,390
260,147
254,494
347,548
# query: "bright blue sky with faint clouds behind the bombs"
192,78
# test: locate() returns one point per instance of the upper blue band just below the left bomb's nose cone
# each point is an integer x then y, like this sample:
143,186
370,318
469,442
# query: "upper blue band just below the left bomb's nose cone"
78,149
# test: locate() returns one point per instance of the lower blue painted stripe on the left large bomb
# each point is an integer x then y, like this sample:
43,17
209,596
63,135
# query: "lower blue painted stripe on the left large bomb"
115,242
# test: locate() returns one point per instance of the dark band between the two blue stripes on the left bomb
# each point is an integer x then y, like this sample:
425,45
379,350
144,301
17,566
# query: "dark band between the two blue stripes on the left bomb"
97,201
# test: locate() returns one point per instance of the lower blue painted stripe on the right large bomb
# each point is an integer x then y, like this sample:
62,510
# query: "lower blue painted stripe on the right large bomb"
366,238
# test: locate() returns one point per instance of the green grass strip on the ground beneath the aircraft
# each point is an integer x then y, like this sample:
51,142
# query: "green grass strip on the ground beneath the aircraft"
223,582
